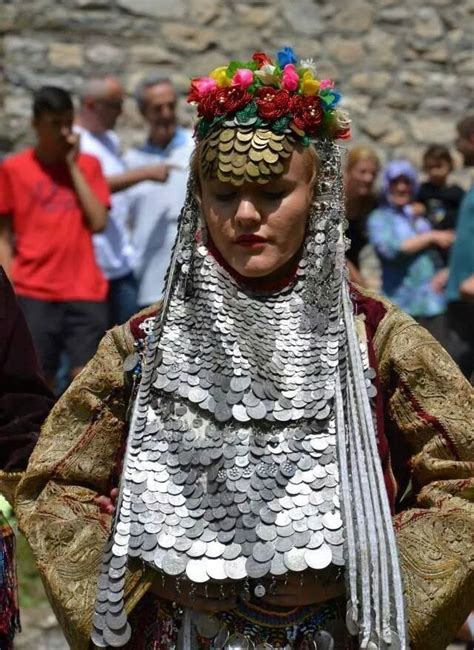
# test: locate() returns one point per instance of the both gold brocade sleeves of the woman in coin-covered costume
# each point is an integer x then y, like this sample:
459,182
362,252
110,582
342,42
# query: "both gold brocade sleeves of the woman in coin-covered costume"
430,405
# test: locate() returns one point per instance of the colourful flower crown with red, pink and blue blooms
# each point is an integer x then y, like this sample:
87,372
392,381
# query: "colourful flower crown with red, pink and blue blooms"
281,95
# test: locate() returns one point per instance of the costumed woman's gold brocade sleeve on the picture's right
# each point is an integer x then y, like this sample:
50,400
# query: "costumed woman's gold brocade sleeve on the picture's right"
431,411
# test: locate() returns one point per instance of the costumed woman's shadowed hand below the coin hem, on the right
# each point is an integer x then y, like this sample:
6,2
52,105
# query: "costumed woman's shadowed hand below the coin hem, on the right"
302,589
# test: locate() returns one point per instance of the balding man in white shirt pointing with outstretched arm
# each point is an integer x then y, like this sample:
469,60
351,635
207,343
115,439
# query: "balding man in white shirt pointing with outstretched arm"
101,105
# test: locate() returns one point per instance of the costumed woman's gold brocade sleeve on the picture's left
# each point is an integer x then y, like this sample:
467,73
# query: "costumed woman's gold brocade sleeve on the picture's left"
76,458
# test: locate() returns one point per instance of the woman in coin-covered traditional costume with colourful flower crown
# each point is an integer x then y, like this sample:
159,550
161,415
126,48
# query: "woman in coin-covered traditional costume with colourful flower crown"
293,455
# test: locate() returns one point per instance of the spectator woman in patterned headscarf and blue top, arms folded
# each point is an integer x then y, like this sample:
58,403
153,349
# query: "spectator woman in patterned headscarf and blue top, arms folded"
408,248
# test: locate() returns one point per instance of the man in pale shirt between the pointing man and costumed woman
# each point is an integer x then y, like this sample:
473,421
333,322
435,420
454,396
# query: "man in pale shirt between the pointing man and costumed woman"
155,207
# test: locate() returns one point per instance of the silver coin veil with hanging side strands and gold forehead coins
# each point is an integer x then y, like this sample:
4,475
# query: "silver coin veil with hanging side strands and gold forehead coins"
179,411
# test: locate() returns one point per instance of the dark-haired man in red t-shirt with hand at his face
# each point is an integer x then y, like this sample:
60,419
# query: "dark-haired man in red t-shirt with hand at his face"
52,198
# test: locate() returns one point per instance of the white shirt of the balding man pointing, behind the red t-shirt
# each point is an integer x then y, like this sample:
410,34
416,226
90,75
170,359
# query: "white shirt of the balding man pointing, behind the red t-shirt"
113,247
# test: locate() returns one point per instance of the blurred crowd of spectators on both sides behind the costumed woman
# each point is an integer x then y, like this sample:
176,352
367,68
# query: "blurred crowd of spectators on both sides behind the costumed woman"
86,230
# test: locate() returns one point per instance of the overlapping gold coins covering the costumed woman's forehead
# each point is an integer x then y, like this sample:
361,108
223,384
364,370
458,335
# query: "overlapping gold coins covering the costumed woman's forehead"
243,155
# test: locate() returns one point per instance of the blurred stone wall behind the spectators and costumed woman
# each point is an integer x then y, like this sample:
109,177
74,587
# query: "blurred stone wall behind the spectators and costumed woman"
405,67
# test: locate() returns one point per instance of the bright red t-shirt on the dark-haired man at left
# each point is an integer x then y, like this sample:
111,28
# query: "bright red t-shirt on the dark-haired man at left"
54,255
